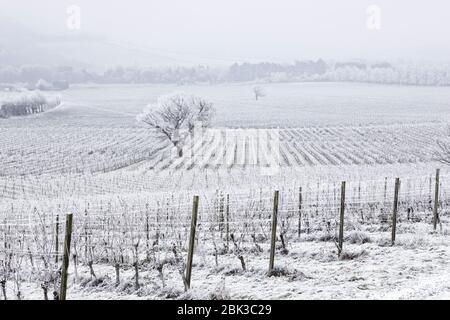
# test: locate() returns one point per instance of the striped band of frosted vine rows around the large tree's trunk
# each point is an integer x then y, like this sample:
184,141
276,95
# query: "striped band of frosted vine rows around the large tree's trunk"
69,149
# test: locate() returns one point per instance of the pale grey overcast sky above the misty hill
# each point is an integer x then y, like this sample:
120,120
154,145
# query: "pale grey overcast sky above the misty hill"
277,30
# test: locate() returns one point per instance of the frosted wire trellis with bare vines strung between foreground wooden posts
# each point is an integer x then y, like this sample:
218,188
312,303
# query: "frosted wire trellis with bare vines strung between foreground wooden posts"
144,232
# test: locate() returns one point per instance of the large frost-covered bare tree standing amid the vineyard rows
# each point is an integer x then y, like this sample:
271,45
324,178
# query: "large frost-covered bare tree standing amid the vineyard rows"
177,112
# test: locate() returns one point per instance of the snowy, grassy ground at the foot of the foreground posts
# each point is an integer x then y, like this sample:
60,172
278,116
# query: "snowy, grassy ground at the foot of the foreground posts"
415,268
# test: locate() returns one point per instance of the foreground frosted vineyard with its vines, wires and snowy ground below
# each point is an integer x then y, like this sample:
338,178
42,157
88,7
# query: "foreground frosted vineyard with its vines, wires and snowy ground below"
137,244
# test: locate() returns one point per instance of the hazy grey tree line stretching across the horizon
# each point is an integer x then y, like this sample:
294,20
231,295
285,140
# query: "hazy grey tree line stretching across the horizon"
384,72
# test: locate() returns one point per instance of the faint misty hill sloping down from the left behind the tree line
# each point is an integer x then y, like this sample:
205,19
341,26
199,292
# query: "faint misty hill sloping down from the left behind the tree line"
21,46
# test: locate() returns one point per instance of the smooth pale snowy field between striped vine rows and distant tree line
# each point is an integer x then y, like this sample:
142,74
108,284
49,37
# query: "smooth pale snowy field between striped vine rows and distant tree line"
285,105
